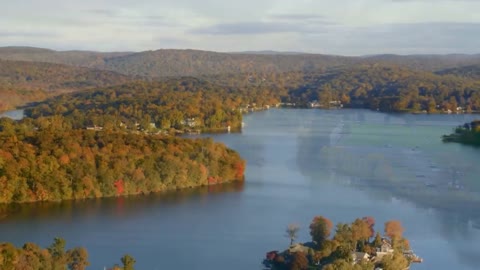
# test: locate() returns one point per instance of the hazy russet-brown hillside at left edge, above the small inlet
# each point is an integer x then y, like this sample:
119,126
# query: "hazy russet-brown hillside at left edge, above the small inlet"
23,82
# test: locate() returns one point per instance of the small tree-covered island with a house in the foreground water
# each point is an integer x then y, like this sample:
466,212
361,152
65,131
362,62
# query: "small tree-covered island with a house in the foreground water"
354,246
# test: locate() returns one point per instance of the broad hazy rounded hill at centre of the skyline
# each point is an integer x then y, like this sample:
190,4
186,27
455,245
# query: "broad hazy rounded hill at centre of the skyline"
164,63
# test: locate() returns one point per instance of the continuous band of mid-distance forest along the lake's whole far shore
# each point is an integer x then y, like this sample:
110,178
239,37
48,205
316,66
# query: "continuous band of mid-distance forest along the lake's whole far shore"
216,102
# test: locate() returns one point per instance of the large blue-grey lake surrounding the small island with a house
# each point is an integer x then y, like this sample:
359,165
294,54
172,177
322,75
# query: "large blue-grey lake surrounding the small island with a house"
341,164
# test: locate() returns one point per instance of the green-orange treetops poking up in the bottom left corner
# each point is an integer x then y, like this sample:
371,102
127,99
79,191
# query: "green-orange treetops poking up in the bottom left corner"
55,257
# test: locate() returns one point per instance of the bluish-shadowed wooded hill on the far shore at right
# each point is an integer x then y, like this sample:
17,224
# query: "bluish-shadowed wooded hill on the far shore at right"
391,89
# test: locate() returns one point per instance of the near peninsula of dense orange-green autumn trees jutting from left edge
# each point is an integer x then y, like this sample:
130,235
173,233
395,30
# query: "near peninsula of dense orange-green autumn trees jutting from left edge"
46,160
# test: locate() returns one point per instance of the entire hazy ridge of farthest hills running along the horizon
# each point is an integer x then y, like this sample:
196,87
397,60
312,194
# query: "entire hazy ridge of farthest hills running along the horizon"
168,63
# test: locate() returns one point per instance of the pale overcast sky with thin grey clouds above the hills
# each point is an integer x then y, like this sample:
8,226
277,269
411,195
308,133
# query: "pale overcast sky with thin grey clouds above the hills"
342,27
